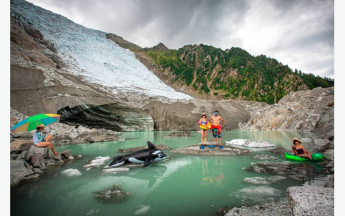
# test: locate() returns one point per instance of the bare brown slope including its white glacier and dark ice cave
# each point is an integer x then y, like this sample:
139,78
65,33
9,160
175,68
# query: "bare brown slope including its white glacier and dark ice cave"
50,73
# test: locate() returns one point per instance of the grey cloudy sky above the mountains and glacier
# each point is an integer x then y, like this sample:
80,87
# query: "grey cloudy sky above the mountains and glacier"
297,33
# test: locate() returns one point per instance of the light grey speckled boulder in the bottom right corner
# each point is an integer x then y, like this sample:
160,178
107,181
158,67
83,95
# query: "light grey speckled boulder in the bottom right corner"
311,200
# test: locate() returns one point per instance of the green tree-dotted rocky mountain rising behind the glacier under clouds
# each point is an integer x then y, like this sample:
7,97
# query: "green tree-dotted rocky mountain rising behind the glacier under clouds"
211,73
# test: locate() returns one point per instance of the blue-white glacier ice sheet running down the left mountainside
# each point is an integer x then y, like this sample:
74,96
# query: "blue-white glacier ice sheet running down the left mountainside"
90,55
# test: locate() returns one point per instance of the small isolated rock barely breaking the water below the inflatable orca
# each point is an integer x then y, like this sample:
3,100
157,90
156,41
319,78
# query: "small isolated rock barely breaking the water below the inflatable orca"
114,194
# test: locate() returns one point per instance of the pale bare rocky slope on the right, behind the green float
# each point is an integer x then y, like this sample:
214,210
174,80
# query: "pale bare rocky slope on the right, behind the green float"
311,110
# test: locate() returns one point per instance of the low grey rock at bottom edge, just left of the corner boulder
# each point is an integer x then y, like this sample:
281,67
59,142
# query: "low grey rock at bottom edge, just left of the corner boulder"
279,208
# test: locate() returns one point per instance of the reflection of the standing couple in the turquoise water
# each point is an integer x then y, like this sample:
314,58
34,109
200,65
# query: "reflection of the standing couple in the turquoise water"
217,176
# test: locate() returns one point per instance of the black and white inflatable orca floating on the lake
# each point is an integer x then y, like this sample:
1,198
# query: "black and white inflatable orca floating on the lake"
146,157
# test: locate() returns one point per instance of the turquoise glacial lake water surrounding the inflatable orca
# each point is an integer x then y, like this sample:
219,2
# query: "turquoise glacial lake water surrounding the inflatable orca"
182,185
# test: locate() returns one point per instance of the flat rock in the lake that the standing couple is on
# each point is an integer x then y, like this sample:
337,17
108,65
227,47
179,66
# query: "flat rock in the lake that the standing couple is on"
195,150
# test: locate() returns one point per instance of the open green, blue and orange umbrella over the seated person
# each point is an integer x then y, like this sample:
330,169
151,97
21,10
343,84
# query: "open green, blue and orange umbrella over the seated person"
32,122
